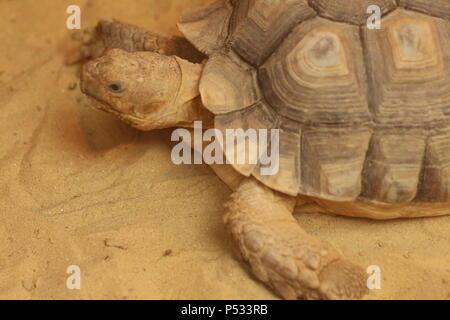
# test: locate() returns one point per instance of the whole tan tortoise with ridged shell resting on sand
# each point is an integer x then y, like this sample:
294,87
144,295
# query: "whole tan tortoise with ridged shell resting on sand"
363,116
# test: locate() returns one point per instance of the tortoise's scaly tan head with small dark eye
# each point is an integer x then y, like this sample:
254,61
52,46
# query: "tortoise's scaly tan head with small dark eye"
141,88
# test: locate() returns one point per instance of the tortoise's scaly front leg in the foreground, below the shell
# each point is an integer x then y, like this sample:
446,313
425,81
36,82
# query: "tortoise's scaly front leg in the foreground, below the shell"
281,254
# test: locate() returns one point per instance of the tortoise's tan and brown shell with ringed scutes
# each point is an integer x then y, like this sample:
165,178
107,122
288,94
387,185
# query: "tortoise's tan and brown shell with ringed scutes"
363,114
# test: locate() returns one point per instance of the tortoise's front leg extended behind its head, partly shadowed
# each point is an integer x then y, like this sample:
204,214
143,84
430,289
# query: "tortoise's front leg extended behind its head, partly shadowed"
117,35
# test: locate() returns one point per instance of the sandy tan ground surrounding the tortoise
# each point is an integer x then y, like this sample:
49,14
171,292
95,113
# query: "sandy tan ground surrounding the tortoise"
79,188
